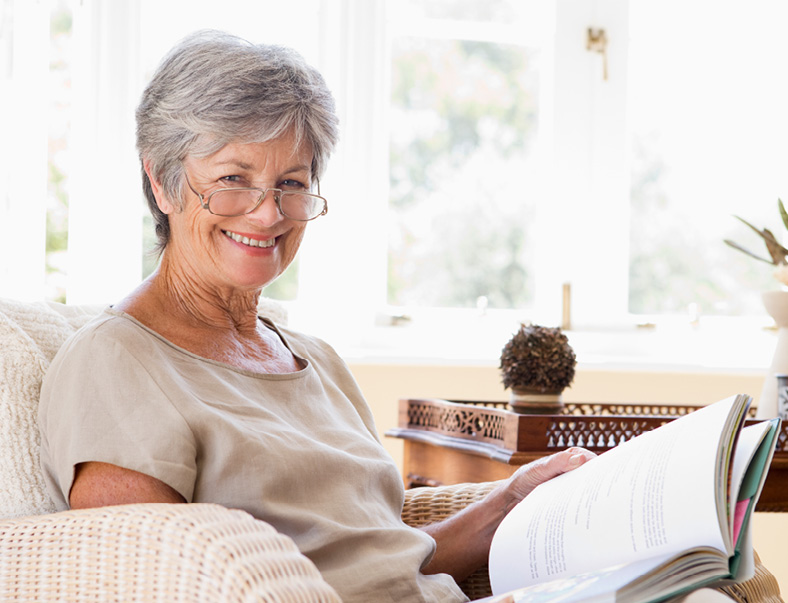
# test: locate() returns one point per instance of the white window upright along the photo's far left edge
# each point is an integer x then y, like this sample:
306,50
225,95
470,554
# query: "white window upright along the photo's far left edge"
23,159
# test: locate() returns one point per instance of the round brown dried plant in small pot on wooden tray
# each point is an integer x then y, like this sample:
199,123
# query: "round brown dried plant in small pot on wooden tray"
537,364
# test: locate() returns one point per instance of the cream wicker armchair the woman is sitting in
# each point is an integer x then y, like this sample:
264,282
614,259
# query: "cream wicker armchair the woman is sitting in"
154,552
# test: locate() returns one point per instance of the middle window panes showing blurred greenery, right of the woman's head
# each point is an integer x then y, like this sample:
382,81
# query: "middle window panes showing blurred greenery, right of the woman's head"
463,120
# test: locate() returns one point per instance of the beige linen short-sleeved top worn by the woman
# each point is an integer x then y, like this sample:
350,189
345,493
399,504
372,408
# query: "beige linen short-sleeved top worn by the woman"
297,450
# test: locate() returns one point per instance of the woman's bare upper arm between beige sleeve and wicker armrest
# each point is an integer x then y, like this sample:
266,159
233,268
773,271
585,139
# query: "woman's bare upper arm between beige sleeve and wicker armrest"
103,484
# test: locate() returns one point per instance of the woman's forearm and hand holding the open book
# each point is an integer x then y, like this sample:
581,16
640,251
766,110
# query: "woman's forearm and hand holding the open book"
463,540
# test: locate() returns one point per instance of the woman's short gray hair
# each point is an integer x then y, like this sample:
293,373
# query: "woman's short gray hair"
214,88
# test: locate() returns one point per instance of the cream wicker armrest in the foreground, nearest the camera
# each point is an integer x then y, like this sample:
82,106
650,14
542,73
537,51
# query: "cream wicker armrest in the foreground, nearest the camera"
153,553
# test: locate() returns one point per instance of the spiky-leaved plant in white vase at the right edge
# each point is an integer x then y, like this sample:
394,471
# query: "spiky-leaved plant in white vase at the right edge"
776,304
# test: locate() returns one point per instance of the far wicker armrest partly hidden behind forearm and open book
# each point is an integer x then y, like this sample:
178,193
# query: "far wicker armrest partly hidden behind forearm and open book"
428,505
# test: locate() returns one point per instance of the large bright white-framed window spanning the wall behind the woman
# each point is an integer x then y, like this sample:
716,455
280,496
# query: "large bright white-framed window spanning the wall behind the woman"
484,160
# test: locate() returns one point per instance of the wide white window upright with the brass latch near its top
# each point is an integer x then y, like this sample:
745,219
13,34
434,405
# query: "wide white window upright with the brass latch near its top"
584,219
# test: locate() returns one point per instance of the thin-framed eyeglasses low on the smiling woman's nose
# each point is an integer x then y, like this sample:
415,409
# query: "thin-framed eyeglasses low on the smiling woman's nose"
229,202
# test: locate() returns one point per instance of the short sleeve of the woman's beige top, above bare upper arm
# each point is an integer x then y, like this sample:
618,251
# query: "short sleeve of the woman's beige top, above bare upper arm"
99,402
